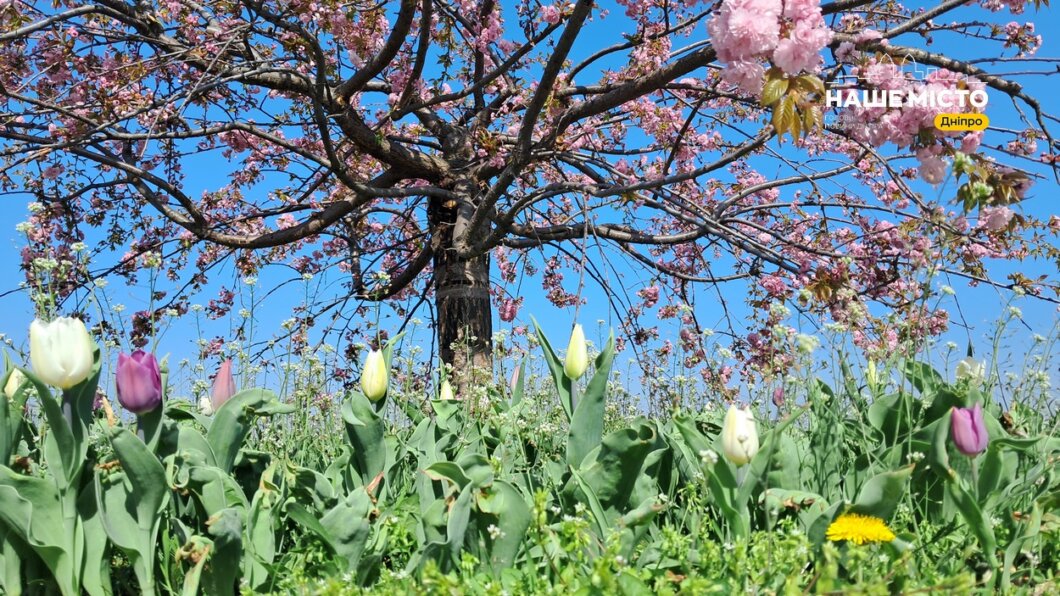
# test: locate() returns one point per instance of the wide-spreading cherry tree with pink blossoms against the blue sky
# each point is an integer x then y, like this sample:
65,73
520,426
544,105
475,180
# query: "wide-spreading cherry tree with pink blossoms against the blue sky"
439,150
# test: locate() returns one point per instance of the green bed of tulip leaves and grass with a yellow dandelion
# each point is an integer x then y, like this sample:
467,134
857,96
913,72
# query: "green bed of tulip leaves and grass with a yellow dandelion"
546,482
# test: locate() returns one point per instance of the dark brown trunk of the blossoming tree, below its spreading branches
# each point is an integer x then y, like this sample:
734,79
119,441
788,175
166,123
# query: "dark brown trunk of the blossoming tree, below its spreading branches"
465,313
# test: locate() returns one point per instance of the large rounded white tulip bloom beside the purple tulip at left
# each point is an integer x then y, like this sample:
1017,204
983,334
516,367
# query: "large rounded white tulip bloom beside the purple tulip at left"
61,352
